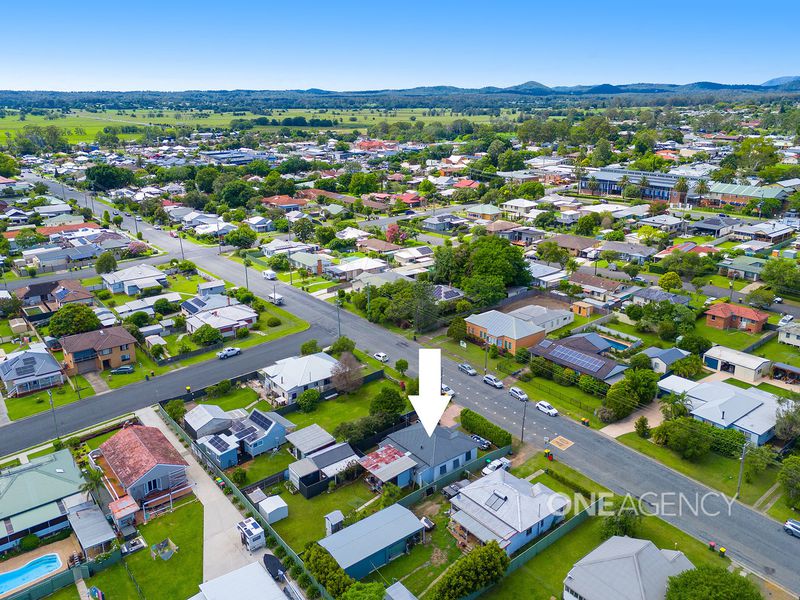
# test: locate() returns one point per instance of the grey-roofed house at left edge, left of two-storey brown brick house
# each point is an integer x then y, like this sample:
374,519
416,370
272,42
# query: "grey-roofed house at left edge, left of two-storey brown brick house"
27,371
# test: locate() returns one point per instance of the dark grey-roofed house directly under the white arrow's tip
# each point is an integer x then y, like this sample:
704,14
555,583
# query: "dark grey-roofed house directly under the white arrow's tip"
437,455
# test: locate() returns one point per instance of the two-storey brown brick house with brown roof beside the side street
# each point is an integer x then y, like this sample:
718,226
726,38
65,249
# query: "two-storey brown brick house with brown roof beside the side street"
98,350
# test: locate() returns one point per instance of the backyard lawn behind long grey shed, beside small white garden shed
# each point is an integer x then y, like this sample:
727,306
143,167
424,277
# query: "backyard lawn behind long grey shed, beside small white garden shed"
306,521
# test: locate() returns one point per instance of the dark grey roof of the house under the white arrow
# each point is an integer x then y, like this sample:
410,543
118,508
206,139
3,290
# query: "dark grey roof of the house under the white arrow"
429,451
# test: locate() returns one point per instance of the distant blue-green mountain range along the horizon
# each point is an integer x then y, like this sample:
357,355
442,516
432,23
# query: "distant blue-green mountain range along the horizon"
529,93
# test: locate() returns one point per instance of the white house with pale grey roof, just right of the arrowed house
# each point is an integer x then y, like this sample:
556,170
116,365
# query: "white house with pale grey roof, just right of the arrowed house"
503,508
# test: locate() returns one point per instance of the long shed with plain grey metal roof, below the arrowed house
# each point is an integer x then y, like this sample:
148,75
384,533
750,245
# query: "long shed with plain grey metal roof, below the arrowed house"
359,551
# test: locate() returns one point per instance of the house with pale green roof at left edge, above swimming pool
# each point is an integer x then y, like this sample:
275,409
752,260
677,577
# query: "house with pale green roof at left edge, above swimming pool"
36,498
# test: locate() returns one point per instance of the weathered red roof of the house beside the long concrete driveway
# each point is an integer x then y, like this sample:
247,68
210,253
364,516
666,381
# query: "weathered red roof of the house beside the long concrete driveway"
135,450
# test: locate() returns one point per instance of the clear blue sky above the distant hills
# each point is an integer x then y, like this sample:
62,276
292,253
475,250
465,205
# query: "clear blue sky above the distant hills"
345,45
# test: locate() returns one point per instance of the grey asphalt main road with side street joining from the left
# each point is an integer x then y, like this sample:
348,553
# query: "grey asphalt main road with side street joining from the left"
752,539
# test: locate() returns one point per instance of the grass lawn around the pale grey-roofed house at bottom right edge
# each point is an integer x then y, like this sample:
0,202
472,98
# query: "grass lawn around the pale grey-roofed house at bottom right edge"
542,577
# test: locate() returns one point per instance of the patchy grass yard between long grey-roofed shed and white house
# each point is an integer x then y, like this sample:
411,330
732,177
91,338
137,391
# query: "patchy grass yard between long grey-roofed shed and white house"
420,567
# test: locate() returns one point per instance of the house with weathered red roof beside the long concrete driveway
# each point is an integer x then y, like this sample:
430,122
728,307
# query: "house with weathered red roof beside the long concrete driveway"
143,464
